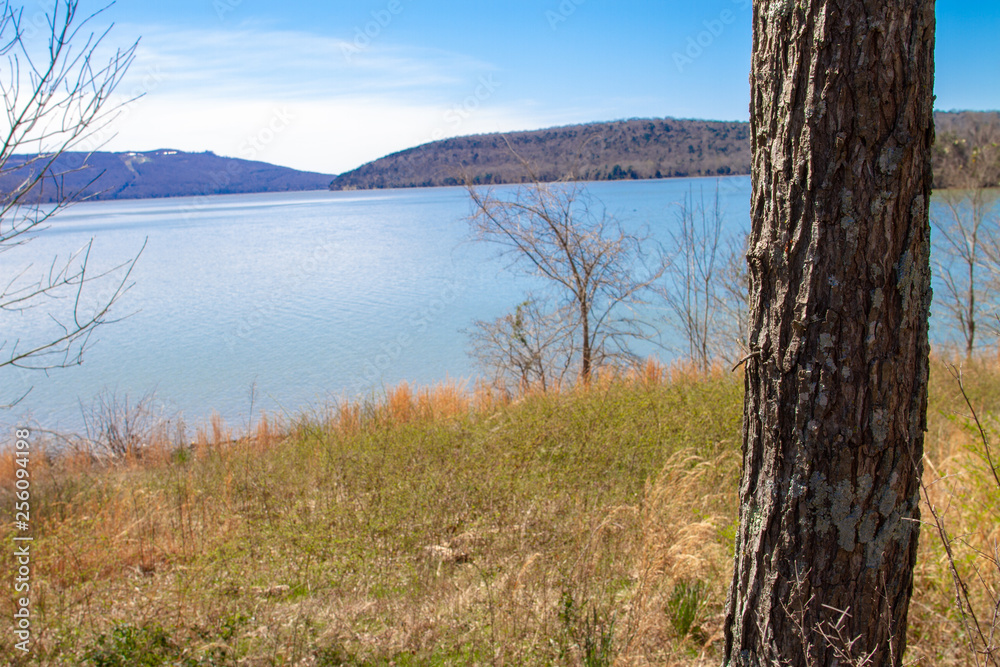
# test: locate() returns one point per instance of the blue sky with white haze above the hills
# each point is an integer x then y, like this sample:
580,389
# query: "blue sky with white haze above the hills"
327,85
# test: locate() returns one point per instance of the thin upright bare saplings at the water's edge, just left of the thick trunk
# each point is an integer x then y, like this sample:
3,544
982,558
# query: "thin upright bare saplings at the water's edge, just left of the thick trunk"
704,285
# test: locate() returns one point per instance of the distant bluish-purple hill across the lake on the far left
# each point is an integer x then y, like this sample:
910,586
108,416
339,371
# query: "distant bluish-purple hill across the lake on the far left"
161,173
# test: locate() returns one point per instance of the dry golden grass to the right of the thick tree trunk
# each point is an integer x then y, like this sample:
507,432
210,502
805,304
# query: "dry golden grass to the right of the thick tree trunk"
962,499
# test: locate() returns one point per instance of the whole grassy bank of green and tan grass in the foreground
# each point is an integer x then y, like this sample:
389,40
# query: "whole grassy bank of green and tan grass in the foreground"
592,527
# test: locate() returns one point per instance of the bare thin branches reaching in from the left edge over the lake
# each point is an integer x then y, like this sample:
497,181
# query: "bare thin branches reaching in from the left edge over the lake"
55,95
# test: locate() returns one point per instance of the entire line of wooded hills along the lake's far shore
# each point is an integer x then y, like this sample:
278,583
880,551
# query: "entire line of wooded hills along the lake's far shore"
652,148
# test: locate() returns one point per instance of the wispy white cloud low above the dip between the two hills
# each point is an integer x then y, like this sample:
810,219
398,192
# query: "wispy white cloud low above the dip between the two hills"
338,107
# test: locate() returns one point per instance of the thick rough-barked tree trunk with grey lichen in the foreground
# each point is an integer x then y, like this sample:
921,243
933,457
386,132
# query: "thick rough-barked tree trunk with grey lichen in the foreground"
840,290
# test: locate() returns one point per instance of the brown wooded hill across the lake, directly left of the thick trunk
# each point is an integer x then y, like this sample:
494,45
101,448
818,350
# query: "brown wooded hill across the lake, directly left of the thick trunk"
654,148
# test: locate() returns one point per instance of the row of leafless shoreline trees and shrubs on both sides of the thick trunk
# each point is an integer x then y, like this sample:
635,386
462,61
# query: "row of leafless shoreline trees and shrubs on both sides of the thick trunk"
612,288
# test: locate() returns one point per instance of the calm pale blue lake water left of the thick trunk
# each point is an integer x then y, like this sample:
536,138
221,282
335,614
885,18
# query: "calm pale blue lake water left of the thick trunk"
308,297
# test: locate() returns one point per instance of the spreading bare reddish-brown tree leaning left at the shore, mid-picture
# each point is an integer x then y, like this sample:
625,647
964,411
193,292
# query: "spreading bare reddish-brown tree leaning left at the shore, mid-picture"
599,273
